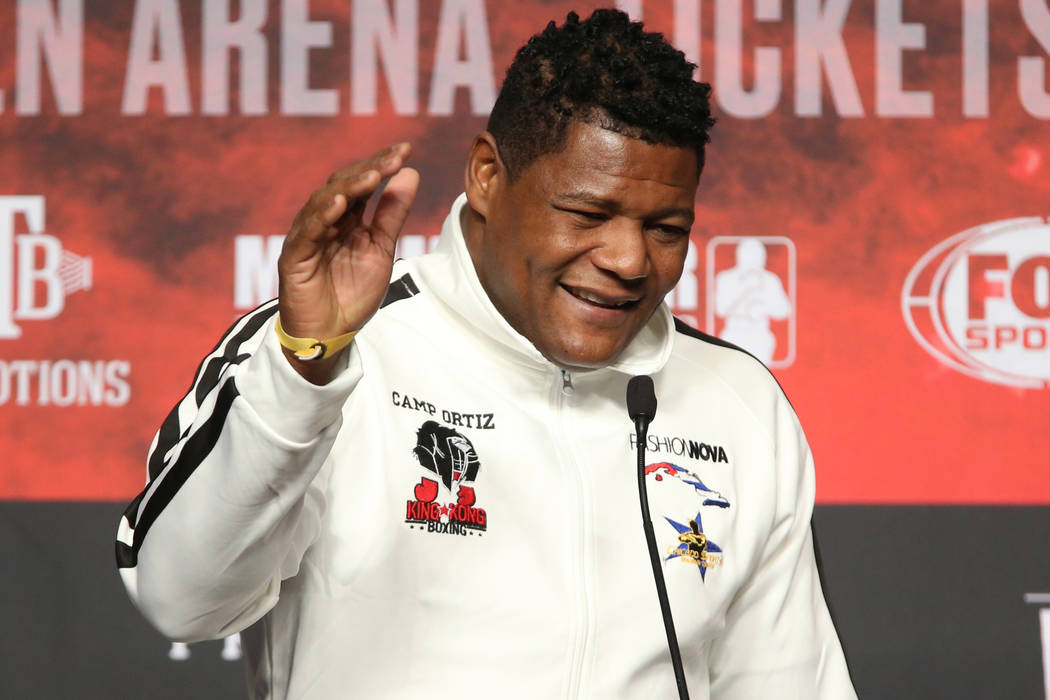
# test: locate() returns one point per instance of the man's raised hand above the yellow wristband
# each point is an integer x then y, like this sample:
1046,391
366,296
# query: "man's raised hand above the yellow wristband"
334,267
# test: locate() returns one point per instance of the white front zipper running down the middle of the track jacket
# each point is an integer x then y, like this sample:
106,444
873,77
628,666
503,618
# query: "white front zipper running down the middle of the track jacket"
580,554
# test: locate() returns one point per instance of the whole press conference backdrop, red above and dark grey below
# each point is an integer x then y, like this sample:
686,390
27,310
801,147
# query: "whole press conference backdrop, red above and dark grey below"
872,223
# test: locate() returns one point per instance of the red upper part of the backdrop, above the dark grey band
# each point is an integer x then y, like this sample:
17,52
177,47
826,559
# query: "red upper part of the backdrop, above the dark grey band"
846,178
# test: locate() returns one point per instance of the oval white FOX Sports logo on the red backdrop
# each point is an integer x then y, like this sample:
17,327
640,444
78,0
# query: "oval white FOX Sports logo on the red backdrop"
980,303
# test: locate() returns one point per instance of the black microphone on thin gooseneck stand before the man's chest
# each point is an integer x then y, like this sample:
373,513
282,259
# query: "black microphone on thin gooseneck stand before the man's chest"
642,409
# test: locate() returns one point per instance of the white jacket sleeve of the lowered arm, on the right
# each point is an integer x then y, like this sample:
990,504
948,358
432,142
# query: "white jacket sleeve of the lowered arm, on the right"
780,641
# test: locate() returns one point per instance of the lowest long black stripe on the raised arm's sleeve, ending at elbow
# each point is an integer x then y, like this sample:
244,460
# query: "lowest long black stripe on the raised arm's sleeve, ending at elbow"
197,449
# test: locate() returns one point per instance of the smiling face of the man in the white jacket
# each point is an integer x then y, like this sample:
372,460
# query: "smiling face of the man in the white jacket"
581,249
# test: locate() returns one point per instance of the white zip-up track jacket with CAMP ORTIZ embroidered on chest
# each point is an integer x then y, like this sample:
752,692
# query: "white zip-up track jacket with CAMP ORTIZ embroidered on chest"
454,517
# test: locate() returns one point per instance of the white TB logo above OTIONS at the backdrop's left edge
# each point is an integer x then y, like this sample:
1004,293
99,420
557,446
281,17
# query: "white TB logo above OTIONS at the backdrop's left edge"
46,273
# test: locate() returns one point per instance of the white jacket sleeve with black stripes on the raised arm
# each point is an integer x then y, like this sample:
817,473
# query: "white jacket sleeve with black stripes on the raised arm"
236,483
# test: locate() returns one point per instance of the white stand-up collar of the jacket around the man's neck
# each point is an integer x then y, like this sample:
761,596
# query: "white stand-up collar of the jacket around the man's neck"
449,273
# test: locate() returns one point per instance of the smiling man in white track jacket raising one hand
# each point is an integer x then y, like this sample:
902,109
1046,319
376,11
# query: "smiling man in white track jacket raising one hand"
419,482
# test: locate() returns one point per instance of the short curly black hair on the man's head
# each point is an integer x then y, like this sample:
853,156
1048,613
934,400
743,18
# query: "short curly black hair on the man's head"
606,71
